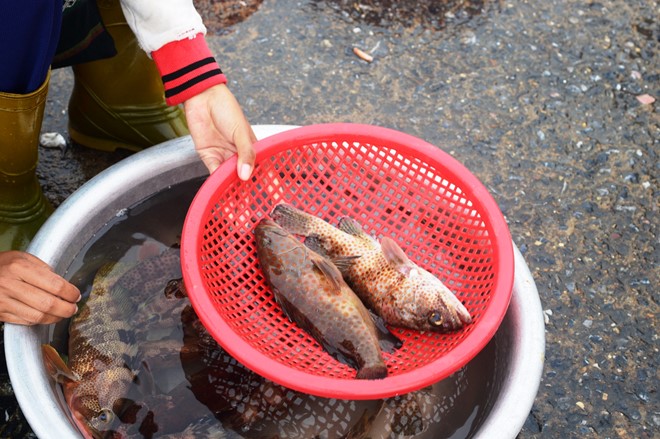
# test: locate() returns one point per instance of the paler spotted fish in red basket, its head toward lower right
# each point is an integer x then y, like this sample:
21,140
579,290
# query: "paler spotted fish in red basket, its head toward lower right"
381,274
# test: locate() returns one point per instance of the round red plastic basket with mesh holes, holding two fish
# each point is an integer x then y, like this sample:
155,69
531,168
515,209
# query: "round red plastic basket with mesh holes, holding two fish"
393,184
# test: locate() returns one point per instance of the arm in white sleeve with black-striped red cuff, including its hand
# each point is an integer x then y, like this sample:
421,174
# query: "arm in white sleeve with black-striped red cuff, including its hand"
172,32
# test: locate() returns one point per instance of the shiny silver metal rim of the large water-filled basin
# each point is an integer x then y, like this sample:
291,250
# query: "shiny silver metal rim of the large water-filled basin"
518,345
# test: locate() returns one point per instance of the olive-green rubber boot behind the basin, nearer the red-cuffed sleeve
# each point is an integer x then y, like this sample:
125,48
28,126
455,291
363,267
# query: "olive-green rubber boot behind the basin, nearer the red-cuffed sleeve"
119,102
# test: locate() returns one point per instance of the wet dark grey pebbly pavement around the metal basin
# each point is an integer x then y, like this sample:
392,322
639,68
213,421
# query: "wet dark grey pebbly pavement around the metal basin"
548,103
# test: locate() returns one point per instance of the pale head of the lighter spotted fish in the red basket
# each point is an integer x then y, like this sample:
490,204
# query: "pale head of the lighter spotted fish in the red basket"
433,306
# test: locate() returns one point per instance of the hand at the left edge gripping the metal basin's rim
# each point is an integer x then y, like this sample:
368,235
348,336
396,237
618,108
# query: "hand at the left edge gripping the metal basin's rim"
31,293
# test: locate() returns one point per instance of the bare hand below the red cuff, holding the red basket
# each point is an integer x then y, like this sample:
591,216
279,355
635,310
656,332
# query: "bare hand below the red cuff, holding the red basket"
219,129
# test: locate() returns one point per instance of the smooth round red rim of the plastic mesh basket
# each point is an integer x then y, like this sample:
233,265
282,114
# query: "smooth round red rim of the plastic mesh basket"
343,388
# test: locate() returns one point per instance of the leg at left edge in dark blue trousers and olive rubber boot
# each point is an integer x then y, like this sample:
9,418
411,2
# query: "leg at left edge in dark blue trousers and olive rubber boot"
29,32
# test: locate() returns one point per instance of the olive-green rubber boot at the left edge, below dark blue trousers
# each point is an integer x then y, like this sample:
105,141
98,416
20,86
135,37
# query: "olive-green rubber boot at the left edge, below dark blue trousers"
23,207
